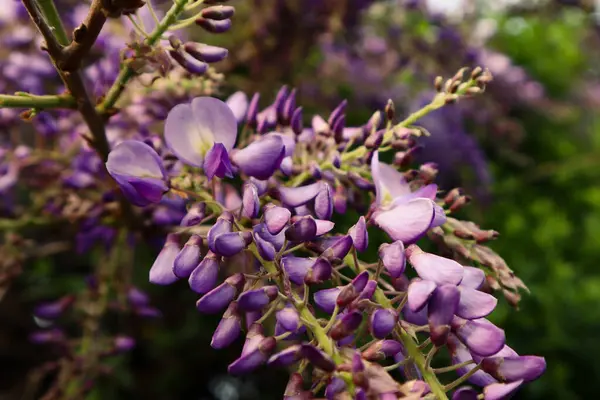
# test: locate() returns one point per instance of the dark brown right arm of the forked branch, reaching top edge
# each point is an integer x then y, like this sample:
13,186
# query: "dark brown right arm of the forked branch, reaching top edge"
84,37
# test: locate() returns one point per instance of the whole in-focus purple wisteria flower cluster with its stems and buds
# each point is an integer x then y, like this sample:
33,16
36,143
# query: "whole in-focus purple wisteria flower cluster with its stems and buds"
248,200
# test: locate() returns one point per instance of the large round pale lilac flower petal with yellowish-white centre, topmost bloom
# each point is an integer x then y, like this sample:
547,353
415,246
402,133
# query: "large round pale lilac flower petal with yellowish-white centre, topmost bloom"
191,130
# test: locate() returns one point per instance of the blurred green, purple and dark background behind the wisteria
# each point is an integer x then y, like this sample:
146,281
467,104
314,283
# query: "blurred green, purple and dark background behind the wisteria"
528,151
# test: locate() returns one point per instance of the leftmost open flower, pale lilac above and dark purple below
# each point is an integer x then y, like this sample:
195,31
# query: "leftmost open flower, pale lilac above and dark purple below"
139,171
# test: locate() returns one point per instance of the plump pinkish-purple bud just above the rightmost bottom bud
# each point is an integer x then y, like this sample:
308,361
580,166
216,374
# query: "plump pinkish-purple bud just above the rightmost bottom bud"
480,335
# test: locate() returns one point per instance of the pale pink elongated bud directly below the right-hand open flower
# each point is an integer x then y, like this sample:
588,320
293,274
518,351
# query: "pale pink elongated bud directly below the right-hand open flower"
432,267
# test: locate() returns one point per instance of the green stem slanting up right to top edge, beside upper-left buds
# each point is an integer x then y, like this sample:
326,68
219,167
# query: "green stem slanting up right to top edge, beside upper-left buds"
127,72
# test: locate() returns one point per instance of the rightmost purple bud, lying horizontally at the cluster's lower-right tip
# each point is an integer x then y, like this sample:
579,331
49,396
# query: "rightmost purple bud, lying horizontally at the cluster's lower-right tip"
510,369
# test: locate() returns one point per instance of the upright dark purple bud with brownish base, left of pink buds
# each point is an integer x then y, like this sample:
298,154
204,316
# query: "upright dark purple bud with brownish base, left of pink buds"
442,307
